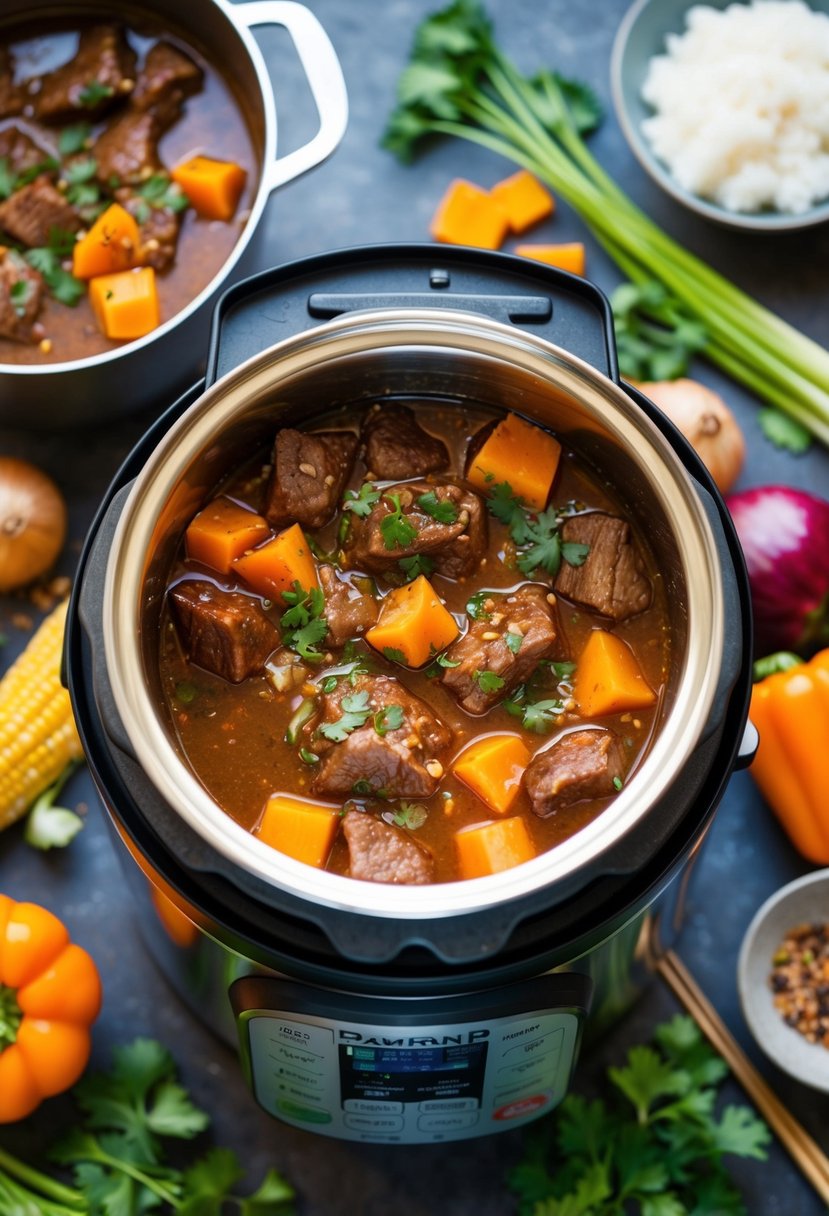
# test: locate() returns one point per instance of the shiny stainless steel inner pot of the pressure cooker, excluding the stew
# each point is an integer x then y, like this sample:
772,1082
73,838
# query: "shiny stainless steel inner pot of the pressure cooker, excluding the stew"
428,353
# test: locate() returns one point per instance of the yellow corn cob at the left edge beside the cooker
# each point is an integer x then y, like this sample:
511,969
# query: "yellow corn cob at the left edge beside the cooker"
38,734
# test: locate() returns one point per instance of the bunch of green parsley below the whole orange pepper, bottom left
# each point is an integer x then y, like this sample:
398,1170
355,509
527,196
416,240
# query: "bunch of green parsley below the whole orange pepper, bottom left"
119,1153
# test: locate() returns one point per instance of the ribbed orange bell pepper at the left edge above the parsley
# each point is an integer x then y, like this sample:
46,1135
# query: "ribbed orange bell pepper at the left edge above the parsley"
50,995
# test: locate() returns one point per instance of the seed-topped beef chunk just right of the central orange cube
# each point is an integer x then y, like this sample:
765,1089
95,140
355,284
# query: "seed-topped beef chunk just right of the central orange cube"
525,615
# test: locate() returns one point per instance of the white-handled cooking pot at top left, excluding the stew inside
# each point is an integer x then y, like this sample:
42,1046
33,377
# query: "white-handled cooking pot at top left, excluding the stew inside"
153,370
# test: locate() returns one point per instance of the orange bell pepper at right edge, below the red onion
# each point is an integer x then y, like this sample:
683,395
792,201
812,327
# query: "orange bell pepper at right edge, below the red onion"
791,710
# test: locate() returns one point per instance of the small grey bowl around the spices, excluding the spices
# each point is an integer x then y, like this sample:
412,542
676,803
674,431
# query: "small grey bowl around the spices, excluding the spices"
805,900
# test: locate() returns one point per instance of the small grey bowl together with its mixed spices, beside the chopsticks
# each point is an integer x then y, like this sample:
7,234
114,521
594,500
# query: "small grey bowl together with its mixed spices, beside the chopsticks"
783,978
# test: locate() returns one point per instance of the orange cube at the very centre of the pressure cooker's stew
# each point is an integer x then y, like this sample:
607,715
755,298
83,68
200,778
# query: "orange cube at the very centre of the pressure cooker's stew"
414,624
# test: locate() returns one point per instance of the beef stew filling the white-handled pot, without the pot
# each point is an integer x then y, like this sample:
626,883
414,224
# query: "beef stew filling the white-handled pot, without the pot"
98,126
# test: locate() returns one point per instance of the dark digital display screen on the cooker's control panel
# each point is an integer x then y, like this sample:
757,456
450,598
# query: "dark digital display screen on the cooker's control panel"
413,1074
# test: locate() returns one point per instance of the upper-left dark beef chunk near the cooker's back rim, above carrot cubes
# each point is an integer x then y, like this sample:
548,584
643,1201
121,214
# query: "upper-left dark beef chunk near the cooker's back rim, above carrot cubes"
309,475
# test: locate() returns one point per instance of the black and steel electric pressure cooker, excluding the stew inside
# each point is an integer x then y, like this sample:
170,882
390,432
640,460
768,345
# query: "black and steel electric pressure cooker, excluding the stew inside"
364,1011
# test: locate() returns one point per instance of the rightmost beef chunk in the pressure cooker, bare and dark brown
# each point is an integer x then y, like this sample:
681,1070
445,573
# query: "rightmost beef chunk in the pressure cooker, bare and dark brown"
612,581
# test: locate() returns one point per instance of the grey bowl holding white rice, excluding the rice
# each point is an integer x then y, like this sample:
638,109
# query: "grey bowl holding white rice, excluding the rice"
640,37
